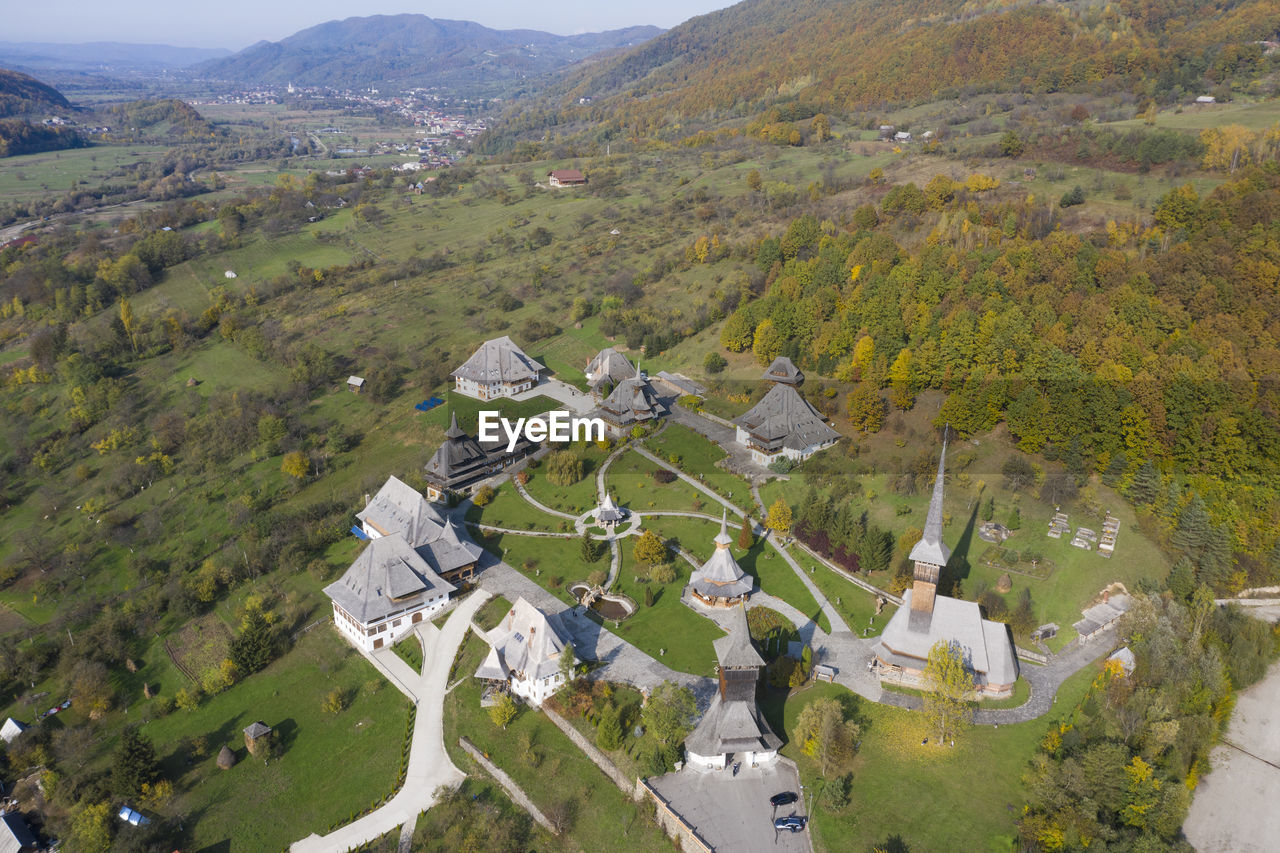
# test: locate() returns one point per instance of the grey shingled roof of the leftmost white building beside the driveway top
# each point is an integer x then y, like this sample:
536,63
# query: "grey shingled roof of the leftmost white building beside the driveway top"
387,577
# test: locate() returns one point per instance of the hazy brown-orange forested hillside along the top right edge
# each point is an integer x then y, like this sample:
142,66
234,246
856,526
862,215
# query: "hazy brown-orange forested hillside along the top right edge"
862,54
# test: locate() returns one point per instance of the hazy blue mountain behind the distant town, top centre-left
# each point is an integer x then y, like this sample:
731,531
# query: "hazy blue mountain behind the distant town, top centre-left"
414,51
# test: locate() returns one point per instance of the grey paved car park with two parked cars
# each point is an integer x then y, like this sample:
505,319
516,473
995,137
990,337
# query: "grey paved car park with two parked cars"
734,814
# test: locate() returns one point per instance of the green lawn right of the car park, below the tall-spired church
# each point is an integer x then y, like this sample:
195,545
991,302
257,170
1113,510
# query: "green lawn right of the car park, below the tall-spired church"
972,793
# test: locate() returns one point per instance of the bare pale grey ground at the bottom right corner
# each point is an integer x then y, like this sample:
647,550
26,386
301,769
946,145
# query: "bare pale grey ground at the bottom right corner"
1235,810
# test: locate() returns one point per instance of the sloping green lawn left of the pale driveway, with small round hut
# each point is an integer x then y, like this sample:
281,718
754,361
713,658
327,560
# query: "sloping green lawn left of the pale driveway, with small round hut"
332,767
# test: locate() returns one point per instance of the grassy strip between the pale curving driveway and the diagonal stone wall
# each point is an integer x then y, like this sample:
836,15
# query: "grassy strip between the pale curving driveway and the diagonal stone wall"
604,816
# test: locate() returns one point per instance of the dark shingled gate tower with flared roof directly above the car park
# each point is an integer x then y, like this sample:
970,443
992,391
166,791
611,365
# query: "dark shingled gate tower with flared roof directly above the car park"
734,724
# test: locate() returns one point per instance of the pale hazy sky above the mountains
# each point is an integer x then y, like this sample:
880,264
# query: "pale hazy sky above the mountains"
239,24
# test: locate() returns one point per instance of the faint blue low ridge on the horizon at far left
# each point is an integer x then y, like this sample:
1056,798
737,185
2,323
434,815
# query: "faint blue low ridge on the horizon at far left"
104,57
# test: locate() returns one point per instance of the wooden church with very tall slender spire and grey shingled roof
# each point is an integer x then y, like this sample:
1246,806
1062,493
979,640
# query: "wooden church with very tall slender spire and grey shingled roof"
926,618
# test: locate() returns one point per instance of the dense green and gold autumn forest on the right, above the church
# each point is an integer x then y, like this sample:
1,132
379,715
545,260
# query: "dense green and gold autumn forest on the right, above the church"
1150,357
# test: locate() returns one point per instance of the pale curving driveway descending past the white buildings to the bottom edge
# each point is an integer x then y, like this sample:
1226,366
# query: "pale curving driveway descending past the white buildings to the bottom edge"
429,764
